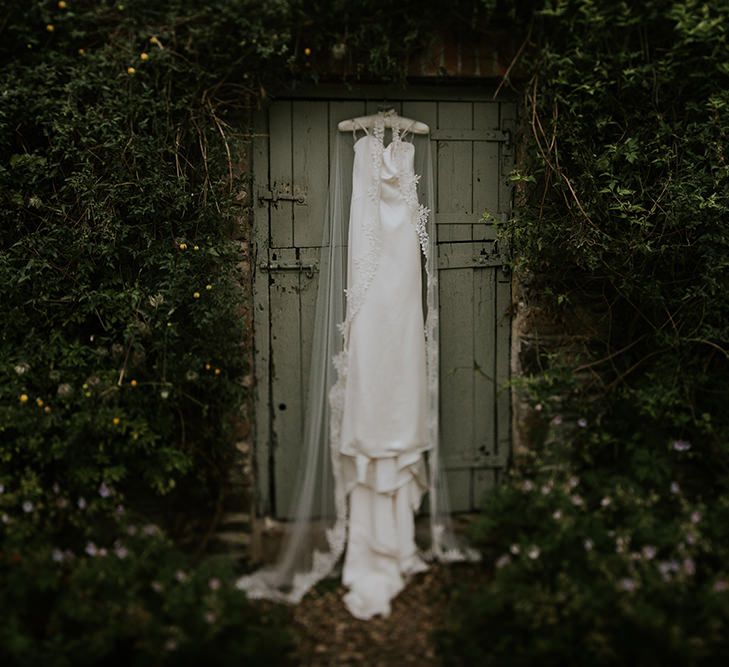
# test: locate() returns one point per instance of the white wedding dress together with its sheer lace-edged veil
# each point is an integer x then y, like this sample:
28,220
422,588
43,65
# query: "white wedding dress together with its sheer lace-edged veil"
369,449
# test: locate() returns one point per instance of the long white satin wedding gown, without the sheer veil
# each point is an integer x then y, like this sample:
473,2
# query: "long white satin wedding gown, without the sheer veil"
383,416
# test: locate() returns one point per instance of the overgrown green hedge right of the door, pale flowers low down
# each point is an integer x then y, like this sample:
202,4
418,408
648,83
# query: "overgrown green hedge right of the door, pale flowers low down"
609,544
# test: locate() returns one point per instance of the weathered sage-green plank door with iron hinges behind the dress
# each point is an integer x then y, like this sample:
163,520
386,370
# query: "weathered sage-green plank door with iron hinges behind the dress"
293,144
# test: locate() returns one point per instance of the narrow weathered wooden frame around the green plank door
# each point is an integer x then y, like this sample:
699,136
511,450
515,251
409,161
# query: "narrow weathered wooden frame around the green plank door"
420,90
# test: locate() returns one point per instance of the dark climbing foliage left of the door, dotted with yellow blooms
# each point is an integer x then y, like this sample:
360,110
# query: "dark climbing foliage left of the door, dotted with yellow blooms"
122,337
